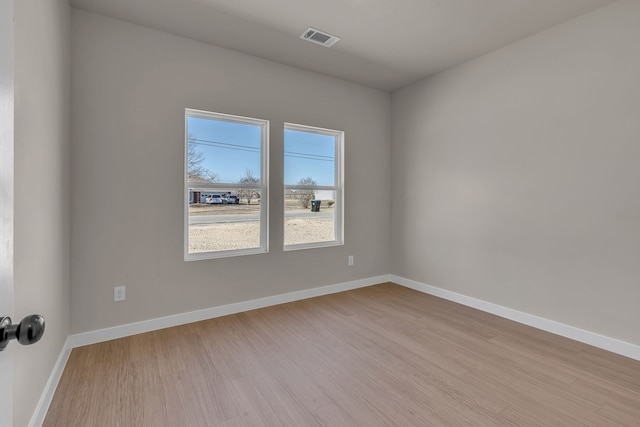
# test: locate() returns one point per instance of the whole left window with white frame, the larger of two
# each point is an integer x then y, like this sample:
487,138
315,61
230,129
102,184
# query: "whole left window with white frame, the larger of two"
226,198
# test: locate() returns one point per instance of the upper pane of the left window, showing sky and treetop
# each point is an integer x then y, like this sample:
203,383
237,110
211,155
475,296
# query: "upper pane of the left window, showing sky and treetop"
224,150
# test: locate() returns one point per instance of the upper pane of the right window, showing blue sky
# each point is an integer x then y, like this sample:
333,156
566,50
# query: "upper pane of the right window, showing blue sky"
309,156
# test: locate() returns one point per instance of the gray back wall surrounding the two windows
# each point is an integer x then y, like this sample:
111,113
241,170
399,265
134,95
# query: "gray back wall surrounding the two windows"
130,86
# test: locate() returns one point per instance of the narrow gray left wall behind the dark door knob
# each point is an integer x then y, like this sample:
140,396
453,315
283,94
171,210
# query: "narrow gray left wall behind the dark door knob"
41,228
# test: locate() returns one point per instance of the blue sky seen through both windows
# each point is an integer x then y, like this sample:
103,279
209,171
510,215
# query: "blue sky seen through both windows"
231,148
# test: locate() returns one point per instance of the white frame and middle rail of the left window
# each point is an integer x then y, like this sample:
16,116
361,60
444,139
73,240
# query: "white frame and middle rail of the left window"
263,187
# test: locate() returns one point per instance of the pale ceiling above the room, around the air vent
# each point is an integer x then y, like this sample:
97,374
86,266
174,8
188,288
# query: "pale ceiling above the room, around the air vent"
385,44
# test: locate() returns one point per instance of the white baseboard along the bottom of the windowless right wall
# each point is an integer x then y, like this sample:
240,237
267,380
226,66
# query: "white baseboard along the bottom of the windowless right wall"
606,343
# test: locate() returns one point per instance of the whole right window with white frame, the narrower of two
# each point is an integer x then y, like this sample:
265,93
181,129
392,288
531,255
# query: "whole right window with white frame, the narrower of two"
313,185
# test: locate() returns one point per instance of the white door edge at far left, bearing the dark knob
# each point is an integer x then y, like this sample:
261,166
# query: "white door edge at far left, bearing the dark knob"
6,200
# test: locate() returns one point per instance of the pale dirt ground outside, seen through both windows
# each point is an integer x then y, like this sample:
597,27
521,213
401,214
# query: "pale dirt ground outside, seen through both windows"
245,235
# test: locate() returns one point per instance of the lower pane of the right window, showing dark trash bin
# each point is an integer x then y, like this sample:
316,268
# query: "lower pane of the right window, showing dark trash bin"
305,223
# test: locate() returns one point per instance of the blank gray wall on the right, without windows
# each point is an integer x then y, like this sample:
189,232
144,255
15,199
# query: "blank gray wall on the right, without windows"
515,176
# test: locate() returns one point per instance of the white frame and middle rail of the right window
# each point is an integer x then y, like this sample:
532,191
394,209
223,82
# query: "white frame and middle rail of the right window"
338,188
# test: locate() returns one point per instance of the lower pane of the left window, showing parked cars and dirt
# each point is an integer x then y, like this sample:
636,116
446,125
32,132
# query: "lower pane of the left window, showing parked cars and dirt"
223,219
